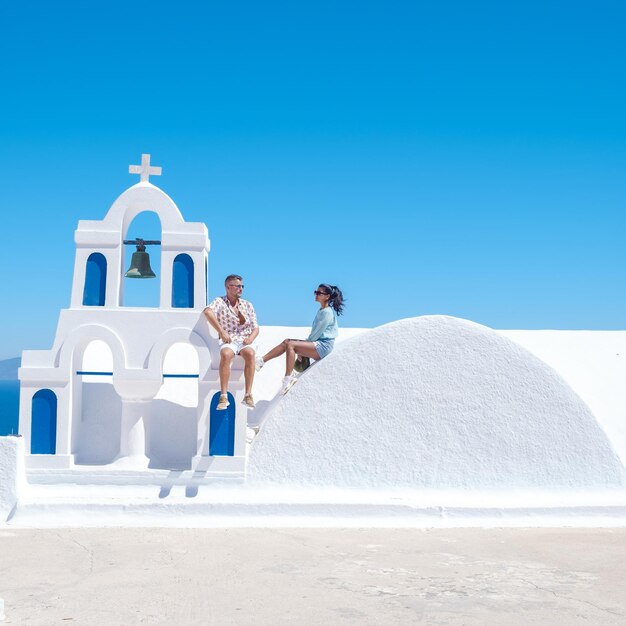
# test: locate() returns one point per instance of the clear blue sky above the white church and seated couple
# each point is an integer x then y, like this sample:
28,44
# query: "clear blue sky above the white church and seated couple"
428,157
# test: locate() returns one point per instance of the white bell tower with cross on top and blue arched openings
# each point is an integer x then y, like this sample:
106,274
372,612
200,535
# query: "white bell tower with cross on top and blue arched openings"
58,425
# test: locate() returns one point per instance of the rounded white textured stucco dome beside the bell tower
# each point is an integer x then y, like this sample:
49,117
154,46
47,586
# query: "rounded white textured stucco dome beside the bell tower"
433,402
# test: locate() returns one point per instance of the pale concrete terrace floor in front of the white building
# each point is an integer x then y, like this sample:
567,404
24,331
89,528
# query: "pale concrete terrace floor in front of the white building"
313,576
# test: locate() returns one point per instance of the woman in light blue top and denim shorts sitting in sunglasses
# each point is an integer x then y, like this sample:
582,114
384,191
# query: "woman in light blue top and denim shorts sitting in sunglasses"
320,341
